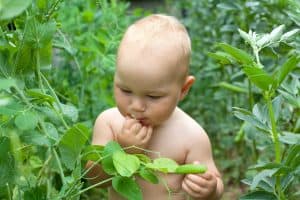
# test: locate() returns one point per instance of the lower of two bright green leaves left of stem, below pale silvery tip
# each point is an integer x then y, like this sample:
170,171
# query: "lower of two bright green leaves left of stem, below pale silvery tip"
259,77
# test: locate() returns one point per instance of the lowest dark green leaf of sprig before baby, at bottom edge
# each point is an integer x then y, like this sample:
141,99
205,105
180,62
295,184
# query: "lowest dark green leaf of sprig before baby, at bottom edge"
127,188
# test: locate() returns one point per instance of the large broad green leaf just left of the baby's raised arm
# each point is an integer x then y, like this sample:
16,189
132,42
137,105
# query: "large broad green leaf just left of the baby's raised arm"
72,143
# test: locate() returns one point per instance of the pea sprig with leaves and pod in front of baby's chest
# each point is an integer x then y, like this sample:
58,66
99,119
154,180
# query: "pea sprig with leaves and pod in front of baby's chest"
124,168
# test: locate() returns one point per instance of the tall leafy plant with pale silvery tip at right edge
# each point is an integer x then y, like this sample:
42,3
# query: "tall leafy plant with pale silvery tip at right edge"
273,119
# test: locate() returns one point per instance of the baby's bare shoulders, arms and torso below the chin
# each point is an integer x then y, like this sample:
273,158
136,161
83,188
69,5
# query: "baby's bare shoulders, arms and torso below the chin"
187,136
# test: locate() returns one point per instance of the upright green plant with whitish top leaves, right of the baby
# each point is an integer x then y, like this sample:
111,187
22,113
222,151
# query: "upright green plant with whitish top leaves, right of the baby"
277,178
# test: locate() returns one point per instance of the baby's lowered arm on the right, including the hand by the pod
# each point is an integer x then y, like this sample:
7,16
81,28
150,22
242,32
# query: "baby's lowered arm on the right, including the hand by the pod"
202,186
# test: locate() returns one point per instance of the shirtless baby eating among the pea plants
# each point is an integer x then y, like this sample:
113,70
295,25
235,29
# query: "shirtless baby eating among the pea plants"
151,77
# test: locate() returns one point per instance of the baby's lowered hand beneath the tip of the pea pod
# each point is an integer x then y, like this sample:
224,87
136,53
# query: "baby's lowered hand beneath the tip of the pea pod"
200,186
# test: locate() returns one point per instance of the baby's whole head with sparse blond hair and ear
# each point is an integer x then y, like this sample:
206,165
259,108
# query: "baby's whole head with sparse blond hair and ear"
152,68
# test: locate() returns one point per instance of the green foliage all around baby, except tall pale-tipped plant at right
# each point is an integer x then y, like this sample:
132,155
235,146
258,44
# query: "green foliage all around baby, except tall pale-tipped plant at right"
57,61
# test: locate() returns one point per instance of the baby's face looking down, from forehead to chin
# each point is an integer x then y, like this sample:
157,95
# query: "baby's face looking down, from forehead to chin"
146,89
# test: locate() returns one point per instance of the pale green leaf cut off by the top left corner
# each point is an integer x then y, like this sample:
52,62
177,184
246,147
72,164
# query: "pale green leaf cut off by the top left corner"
12,8
